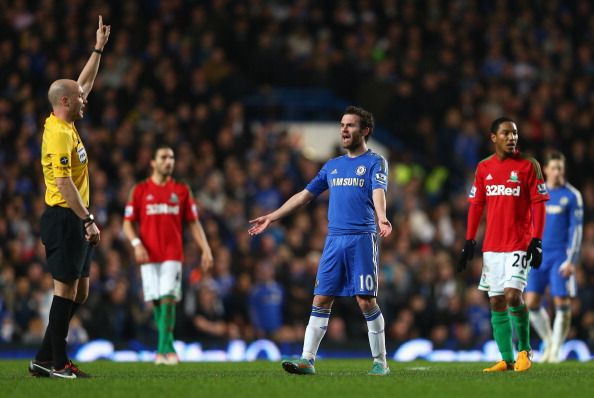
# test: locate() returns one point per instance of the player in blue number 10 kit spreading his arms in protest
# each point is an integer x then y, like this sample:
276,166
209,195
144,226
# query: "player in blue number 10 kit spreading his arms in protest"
357,183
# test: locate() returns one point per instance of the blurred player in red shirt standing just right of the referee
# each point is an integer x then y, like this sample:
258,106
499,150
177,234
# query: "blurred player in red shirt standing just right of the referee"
159,205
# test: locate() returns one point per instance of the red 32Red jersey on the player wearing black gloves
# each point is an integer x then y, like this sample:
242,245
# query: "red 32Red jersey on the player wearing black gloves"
508,188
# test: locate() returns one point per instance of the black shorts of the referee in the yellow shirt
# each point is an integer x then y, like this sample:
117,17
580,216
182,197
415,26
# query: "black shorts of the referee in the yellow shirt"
68,252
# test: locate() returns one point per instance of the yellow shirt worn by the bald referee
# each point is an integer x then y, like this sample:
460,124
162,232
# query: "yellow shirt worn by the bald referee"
63,155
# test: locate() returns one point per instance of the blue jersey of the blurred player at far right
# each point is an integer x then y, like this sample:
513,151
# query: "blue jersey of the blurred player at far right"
563,227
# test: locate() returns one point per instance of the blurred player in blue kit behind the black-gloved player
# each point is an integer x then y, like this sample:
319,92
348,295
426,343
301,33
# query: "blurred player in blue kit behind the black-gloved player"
561,248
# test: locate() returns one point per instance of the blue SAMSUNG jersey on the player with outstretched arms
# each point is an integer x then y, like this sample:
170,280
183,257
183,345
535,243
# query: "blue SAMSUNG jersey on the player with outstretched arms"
351,182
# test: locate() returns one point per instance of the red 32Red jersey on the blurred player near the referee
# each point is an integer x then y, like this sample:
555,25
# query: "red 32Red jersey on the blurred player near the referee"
159,211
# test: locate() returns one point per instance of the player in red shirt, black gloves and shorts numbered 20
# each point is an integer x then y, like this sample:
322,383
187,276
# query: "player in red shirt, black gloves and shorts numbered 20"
510,185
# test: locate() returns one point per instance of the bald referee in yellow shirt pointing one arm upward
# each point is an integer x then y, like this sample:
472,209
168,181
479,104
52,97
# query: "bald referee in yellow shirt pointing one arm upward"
68,229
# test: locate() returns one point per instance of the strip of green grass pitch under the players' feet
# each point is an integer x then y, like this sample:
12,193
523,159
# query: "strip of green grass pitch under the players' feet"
335,378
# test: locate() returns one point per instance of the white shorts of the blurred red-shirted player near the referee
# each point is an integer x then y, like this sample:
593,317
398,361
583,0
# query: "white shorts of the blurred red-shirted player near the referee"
161,279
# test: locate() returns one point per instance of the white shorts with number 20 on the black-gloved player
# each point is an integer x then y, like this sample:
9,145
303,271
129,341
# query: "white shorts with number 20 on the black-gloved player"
504,270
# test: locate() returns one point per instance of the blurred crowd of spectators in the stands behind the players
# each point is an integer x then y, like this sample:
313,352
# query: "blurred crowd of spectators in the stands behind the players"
435,74
